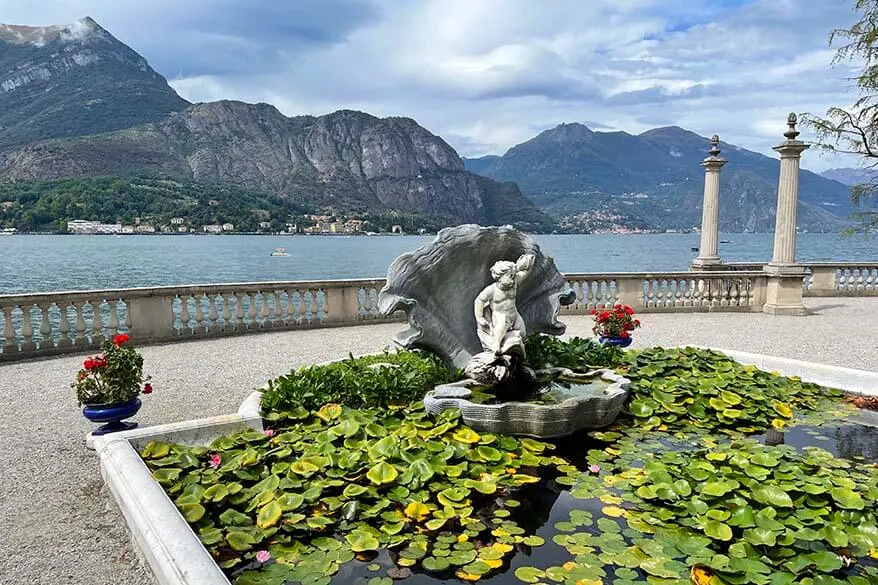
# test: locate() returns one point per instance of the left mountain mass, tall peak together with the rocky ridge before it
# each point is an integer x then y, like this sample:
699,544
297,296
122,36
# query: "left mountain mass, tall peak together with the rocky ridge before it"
76,102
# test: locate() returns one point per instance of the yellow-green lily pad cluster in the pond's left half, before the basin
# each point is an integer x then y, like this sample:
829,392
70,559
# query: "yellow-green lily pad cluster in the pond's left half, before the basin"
336,484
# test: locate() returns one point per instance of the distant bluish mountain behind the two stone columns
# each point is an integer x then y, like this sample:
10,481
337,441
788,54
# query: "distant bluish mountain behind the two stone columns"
609,179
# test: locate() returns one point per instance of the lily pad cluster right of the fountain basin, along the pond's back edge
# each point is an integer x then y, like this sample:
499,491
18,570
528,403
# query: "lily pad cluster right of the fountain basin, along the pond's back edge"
679,388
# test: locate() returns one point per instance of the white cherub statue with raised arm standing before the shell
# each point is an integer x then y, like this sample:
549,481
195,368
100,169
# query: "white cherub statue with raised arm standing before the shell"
500,326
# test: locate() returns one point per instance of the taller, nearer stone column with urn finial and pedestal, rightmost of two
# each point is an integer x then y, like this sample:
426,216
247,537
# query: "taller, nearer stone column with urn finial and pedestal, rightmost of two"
784,291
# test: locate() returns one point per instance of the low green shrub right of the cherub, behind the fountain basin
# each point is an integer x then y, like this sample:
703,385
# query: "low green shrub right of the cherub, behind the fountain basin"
576,353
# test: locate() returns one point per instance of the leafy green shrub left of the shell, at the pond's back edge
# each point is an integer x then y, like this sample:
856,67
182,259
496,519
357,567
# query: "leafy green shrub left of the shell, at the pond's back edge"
356,383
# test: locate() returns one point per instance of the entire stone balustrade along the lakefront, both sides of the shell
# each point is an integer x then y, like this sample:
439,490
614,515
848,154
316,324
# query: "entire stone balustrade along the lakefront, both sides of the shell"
42,324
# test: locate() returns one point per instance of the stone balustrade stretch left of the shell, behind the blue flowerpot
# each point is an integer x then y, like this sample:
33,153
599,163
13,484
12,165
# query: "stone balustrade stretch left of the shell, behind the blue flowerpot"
52,323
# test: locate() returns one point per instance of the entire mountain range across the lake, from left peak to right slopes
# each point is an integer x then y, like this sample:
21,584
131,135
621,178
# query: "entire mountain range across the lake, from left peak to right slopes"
76,103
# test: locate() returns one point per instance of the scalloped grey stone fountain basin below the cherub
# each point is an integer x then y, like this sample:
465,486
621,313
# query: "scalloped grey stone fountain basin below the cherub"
594,408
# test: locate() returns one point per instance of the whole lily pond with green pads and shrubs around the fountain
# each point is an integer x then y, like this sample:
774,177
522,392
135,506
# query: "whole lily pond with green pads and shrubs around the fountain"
717,473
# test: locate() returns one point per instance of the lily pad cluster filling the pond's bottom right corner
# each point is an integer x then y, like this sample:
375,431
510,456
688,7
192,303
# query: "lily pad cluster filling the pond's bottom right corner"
737,512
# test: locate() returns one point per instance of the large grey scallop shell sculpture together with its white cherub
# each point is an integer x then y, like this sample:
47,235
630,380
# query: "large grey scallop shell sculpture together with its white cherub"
438,285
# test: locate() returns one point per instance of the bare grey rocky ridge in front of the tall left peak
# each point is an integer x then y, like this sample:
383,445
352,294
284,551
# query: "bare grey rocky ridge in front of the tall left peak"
349,161
